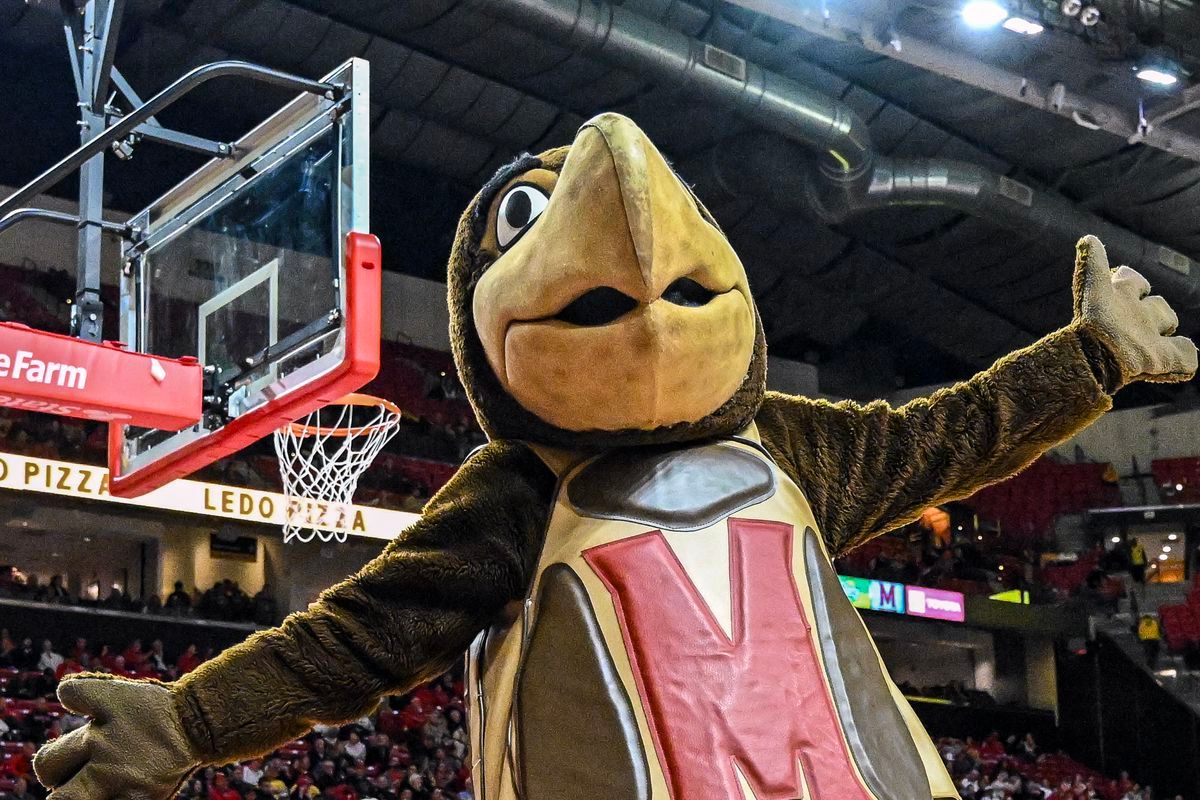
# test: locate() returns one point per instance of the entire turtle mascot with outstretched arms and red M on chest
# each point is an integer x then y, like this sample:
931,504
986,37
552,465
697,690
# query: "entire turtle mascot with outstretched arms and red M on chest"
639,562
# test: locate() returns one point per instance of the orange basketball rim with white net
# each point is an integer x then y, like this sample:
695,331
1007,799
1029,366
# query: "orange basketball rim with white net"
322,459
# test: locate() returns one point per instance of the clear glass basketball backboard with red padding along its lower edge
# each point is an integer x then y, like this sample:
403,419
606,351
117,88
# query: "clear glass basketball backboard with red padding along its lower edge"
260,267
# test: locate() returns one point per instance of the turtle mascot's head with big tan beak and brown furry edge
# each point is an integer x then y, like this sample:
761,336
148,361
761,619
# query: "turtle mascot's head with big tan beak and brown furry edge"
595,303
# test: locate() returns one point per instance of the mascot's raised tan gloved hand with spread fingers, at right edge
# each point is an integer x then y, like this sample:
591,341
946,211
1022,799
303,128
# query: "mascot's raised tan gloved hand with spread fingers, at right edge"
1138,329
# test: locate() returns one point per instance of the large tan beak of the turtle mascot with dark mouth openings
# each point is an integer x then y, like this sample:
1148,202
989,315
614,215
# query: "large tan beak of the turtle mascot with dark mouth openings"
622,306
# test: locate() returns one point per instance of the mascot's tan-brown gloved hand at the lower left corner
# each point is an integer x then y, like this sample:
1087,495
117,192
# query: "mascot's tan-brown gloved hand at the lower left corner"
135,745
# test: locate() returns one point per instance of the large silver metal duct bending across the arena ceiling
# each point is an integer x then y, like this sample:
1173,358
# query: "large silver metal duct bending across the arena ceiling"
849,177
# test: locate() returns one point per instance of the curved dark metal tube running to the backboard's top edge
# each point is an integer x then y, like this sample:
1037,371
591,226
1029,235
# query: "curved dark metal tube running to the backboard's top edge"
153,107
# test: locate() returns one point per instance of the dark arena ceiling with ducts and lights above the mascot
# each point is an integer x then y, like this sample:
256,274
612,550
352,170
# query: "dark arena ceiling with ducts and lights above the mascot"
923,286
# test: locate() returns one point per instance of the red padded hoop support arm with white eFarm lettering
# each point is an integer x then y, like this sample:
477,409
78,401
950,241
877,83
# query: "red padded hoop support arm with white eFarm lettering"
61,375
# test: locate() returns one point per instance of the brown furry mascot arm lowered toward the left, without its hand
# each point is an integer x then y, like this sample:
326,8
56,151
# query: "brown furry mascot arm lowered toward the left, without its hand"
401,621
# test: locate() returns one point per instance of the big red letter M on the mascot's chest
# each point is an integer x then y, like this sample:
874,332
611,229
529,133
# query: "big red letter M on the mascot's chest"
757,705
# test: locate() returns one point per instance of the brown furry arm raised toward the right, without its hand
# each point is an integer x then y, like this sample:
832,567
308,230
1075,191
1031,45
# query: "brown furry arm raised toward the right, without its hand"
868,470
